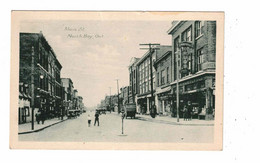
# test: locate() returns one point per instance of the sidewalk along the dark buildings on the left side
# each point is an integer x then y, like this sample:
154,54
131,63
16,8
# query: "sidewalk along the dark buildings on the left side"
26,128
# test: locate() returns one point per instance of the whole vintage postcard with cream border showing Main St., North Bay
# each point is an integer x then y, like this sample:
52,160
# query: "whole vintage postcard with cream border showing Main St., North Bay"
117,80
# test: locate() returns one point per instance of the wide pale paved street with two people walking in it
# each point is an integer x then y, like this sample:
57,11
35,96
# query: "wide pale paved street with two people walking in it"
135,130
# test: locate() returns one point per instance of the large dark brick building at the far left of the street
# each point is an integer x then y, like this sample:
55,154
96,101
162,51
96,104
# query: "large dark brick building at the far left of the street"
38,62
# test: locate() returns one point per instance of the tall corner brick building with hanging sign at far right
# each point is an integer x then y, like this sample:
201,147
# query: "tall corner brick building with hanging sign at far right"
194,52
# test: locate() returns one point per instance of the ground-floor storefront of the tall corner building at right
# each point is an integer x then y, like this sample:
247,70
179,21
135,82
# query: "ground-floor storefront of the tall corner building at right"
199,90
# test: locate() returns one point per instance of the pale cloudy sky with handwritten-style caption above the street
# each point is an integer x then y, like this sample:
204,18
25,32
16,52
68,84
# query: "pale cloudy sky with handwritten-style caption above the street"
95,53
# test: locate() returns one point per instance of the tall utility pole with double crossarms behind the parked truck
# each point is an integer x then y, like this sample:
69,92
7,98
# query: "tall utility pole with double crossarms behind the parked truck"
151,69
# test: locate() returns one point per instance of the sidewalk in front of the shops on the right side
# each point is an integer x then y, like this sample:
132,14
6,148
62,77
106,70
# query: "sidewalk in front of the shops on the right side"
173,120
